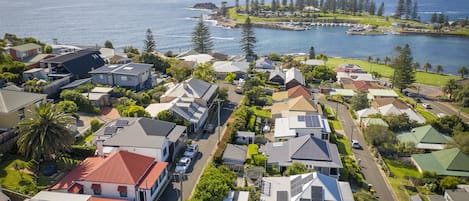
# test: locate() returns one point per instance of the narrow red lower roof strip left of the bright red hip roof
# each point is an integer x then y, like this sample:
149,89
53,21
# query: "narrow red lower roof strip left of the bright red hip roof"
78,173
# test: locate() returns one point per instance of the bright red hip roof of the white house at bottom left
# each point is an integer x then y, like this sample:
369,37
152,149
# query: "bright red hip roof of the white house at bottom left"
121,167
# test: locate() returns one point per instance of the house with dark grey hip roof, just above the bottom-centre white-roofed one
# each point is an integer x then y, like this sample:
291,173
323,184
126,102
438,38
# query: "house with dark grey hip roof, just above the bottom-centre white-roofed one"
314,153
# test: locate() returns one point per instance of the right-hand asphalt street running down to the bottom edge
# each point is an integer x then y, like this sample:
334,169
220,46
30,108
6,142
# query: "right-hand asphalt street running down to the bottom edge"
370,169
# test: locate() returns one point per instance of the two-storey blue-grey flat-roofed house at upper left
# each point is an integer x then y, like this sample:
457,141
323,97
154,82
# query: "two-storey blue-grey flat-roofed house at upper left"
132,75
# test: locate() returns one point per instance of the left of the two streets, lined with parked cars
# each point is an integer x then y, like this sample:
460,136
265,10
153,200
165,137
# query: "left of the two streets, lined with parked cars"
207,145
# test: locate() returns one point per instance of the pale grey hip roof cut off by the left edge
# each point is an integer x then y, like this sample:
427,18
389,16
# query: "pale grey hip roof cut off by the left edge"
14,100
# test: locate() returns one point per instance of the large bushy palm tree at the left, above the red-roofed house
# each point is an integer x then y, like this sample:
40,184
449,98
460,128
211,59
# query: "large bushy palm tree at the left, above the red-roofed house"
46,133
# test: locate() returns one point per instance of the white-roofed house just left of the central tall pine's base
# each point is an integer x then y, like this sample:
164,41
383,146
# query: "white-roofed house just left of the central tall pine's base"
222,68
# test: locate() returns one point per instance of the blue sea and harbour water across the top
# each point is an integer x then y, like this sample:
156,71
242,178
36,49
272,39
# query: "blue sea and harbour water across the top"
89,22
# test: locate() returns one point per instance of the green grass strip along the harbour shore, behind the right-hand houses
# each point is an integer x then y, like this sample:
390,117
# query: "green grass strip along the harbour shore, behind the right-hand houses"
386,71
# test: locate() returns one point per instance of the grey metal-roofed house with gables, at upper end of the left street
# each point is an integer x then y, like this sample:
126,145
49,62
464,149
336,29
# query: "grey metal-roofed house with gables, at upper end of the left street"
204,93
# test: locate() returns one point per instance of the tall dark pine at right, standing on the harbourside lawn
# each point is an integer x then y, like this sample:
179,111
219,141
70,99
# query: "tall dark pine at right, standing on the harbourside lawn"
402,64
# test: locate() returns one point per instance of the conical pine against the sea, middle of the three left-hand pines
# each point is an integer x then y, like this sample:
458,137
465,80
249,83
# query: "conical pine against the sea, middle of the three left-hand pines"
201,40
